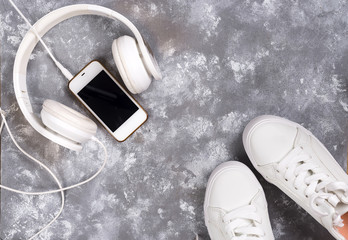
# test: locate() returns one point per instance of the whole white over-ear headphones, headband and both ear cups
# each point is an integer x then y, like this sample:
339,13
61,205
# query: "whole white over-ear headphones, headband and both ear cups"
59,123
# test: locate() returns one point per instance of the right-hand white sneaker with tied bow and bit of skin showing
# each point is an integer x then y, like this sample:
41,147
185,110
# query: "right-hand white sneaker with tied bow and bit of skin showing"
290,157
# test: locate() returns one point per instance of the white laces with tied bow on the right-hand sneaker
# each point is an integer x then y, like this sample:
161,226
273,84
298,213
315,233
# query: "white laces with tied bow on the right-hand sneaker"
298,168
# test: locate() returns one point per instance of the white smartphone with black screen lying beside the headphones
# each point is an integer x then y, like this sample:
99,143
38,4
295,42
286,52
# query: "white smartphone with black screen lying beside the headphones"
108,101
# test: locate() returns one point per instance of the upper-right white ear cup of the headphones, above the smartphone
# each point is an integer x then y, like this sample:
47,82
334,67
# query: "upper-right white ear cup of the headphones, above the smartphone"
130,64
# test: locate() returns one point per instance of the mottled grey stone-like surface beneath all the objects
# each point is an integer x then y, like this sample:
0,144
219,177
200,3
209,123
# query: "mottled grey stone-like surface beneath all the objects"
224,63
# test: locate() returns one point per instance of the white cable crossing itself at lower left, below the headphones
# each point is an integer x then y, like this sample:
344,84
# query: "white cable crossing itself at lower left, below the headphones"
61,189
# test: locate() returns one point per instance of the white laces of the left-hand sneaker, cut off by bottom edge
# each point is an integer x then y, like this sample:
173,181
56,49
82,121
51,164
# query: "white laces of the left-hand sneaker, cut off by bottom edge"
243,224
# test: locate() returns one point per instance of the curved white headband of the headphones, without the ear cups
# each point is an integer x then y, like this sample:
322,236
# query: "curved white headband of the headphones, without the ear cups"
28,44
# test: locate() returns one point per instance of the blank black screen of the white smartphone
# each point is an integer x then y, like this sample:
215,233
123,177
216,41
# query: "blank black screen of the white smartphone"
108,101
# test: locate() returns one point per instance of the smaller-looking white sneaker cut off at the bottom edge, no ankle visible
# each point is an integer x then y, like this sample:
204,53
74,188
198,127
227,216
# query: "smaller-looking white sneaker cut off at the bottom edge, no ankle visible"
235,206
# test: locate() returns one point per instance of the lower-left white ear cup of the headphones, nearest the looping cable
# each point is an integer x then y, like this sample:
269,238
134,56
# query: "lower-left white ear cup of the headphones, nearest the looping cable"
67,122
